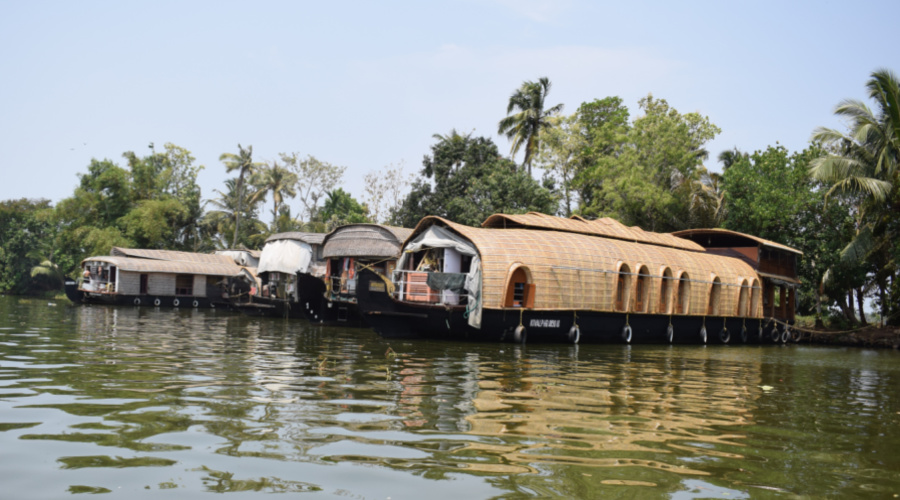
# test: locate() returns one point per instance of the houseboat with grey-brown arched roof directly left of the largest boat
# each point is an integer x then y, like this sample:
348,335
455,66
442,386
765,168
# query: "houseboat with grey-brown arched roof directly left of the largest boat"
331,299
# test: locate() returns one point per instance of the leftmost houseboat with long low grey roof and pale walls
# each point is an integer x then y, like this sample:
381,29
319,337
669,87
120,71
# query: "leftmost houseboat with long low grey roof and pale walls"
160,278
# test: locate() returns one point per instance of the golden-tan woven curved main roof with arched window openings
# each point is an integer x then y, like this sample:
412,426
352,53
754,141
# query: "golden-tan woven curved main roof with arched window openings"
577,270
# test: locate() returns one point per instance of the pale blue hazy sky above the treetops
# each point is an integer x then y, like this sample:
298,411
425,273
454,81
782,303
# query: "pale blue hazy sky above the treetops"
367,84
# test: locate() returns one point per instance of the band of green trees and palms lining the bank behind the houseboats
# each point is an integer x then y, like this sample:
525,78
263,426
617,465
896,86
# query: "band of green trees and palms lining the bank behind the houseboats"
837,200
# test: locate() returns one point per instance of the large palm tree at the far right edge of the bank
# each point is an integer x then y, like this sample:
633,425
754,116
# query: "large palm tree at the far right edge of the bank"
864,163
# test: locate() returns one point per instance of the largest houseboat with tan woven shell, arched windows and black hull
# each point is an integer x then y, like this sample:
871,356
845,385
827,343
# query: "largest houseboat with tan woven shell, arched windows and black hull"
548,278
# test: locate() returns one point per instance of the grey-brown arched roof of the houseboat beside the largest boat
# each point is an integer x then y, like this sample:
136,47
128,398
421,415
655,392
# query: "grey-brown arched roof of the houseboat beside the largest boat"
365,240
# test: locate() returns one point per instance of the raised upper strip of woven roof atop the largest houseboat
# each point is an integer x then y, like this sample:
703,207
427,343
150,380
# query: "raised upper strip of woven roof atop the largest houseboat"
606,227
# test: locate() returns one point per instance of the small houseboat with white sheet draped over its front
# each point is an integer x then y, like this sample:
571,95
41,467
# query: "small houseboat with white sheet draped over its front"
284,257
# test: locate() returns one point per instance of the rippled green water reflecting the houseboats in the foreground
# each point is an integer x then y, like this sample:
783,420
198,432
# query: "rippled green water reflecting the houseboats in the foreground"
138,402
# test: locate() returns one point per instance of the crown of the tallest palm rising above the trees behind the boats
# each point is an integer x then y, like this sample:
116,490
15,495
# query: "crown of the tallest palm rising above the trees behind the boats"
523,128
